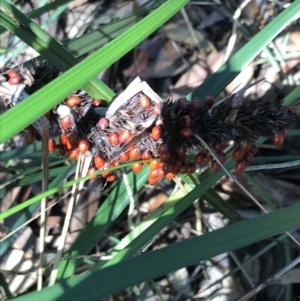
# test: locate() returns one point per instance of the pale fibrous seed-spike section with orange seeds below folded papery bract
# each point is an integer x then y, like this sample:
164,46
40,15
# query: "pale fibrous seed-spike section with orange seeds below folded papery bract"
111,139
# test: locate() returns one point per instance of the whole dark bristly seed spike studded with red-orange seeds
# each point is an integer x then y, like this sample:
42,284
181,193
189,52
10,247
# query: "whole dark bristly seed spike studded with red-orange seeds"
167,133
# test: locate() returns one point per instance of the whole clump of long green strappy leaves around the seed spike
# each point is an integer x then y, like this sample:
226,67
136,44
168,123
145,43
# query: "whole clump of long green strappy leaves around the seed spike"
124,269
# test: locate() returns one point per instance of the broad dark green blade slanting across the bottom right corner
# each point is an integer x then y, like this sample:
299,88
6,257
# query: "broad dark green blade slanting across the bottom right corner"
98,284
